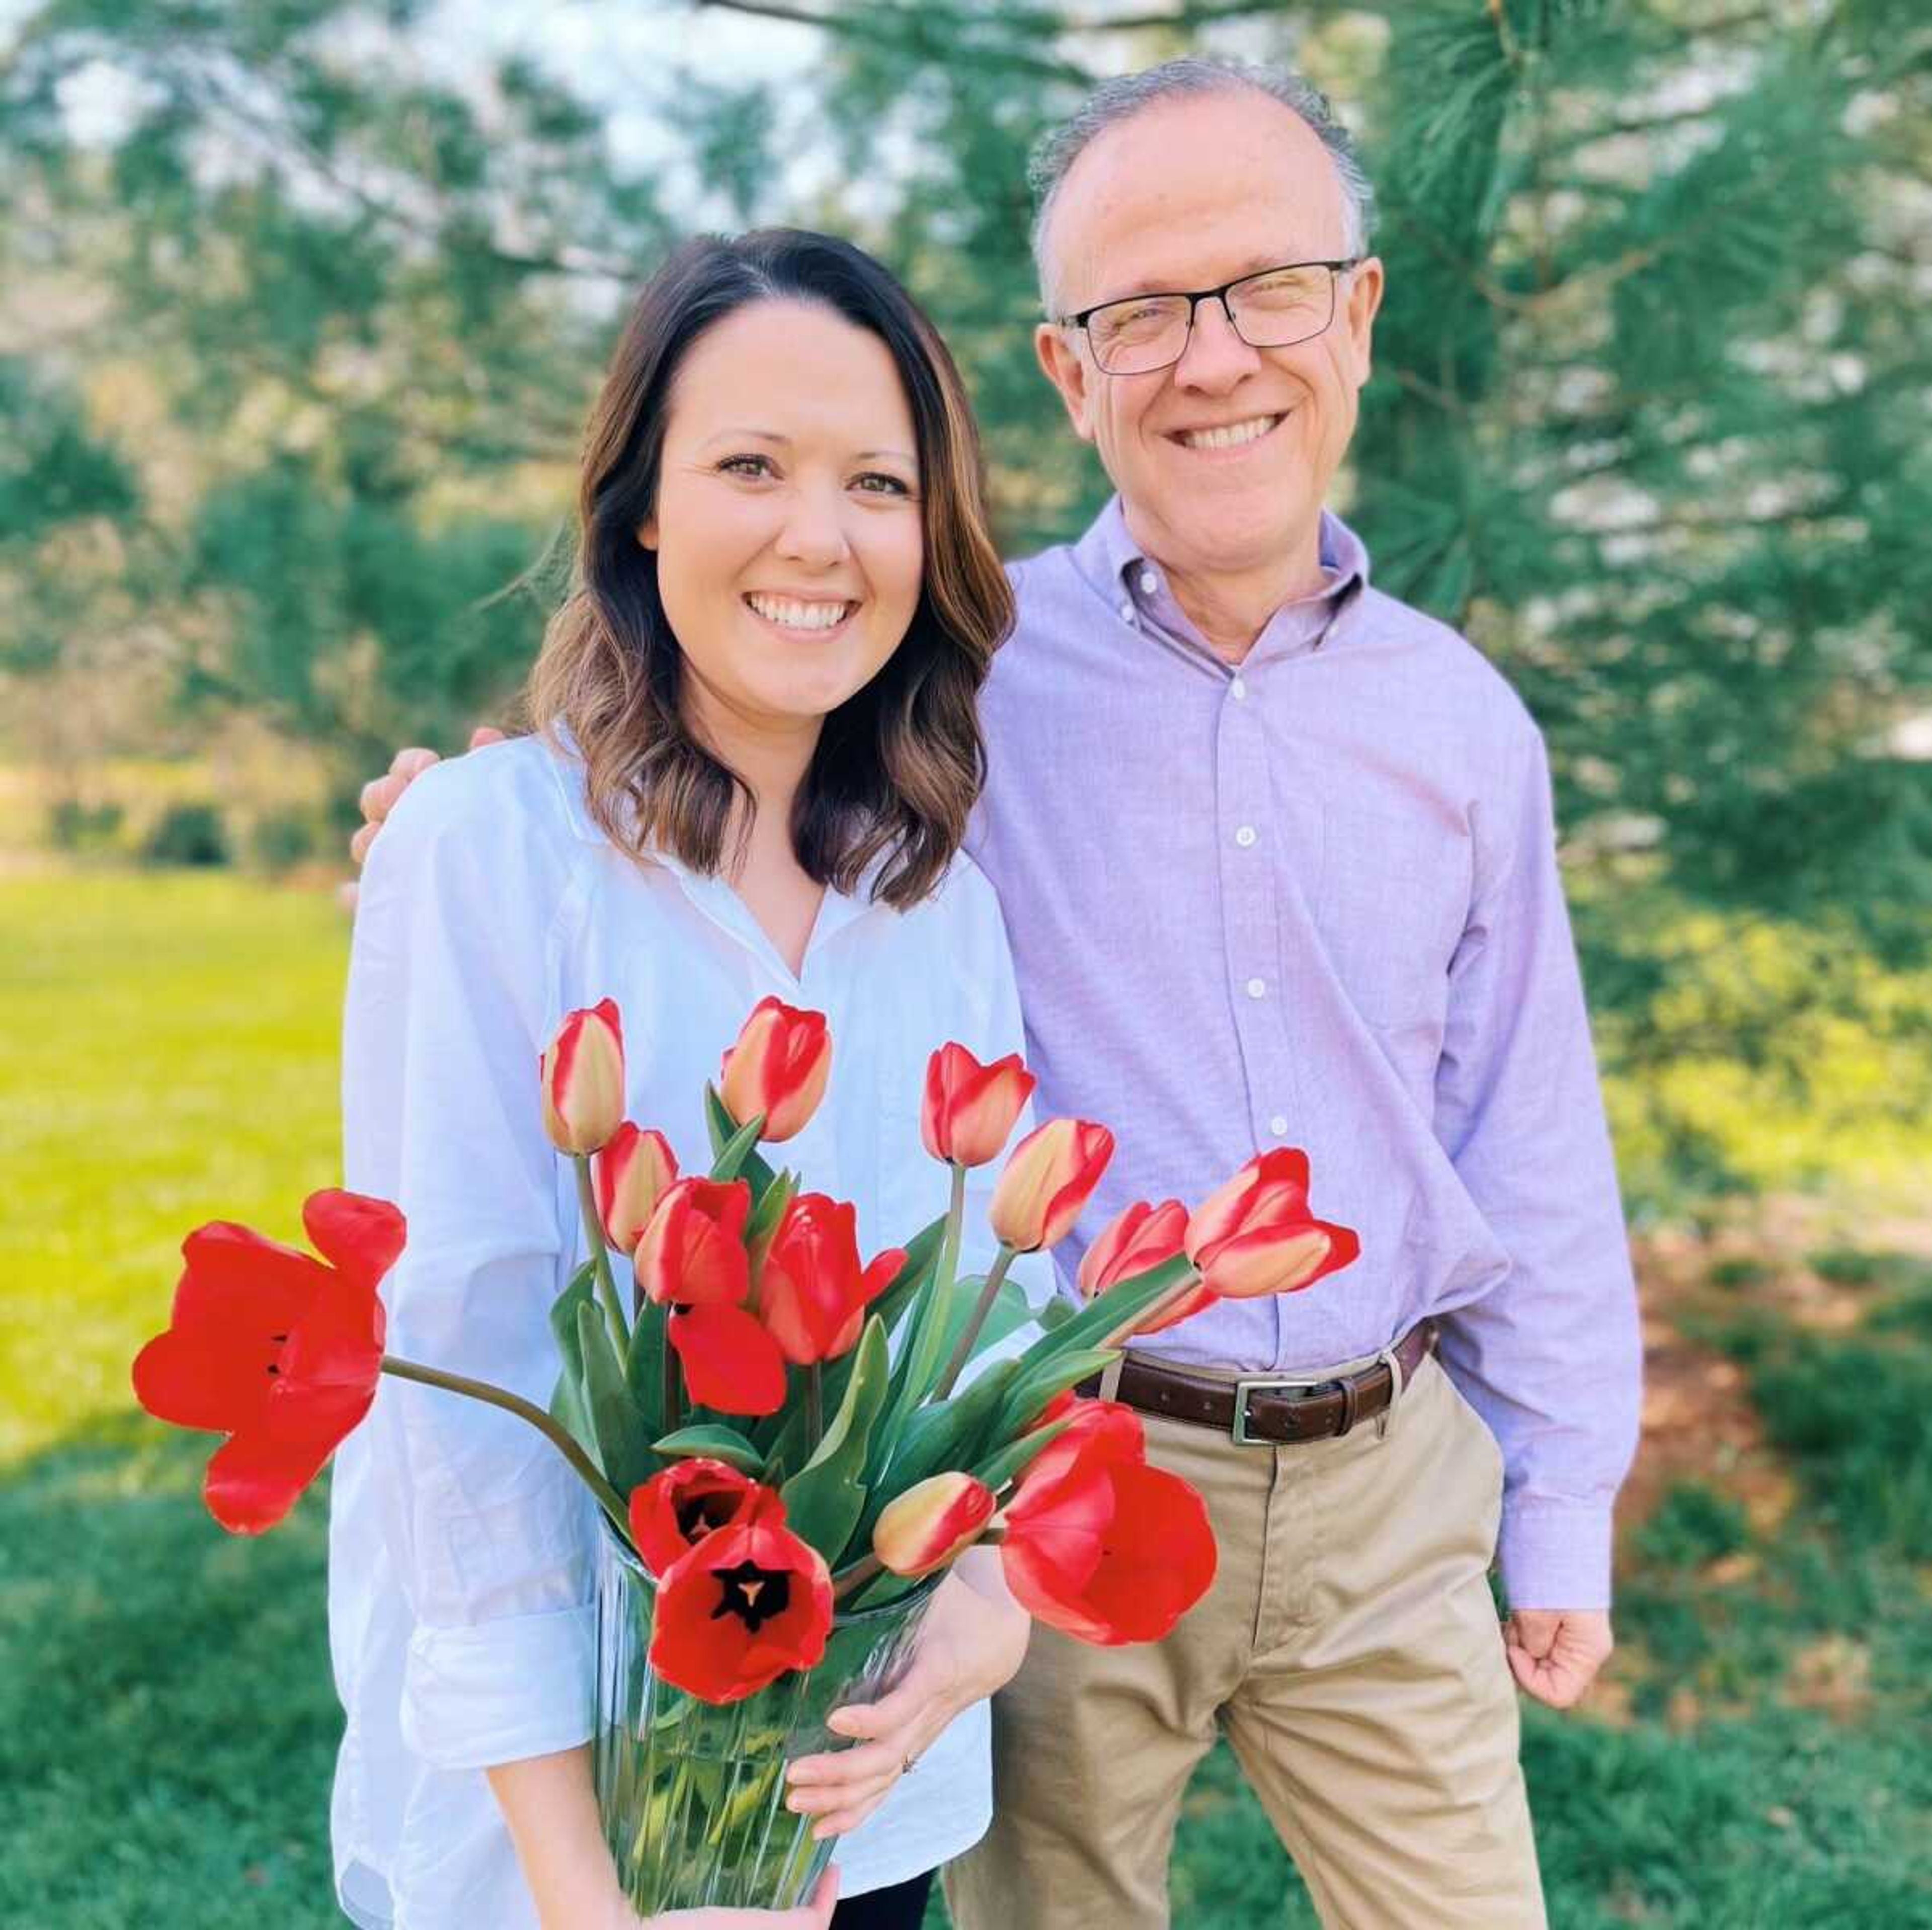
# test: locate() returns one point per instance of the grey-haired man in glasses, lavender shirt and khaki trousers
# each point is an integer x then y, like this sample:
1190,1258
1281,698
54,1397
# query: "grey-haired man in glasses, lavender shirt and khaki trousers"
1278,863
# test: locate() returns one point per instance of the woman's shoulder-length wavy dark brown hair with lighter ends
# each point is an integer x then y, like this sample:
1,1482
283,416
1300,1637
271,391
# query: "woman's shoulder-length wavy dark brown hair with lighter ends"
901,762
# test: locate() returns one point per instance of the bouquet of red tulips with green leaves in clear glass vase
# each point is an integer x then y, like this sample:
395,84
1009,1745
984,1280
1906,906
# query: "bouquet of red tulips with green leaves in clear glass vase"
789,1444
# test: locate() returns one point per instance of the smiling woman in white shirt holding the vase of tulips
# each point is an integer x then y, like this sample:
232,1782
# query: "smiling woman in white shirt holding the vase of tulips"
753,766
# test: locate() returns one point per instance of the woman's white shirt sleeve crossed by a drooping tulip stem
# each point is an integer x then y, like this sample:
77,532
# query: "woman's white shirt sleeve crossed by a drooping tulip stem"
486,1529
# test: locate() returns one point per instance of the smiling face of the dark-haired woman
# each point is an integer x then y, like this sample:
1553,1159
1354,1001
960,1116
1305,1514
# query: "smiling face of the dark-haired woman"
787,523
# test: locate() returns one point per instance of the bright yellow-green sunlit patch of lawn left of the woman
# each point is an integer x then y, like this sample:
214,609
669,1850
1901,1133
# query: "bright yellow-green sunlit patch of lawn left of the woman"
171,1060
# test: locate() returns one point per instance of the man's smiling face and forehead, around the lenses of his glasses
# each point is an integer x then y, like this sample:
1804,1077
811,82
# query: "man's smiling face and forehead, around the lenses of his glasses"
1191,194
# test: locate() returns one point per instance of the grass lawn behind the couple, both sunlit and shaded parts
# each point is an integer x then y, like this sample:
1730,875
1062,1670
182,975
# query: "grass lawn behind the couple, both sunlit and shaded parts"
167,1724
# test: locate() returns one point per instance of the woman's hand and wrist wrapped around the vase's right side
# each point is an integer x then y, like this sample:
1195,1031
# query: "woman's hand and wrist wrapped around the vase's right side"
973,1643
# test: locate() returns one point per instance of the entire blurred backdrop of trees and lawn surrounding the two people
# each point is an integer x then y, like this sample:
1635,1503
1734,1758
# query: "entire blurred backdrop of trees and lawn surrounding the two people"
302,304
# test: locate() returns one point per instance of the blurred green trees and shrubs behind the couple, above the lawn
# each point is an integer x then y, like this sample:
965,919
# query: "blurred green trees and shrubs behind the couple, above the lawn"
302,306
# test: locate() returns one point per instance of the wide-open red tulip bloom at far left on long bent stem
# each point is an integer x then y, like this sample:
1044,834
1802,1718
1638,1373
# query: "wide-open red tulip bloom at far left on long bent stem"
275,1349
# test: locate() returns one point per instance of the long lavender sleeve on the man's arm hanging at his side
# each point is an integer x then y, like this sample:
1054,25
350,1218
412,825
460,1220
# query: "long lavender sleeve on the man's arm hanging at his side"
1550,1357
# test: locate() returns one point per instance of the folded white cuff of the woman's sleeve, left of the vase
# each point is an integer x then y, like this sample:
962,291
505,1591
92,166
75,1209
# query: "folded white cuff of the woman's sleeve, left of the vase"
501,1691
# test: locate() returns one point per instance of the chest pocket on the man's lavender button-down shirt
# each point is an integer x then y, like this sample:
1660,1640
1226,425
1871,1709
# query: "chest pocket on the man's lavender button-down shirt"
1392,907
